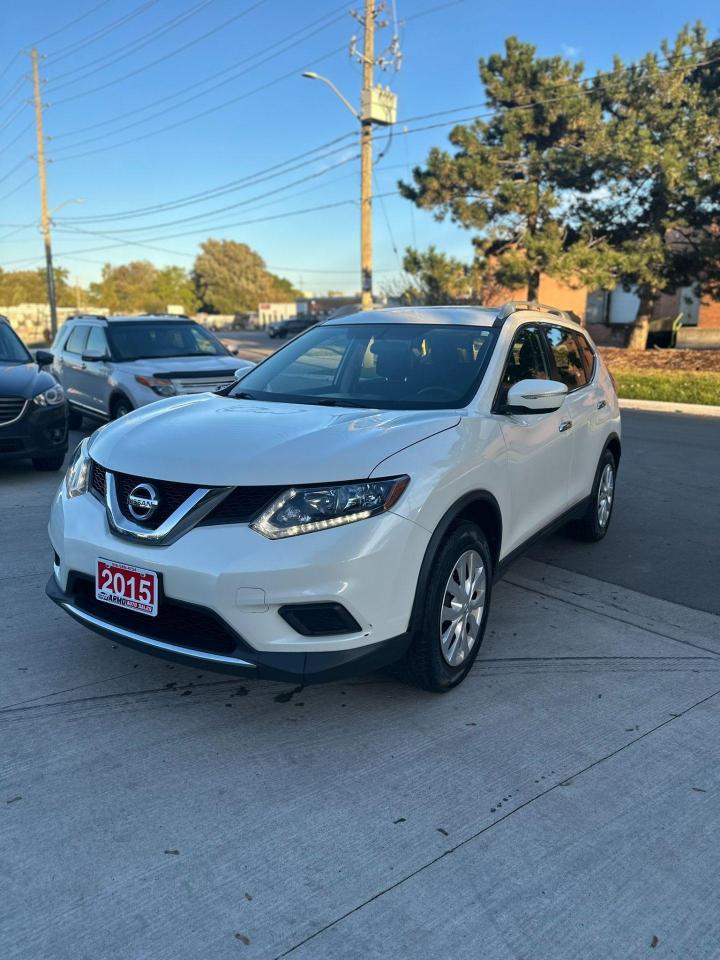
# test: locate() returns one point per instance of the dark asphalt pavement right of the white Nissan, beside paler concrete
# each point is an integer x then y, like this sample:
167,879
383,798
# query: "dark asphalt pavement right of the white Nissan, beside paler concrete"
665,535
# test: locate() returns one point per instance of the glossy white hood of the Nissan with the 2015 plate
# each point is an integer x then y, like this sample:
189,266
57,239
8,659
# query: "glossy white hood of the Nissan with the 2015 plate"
211,440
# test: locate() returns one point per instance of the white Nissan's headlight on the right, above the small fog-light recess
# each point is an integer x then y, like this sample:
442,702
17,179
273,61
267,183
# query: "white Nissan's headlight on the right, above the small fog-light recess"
318,508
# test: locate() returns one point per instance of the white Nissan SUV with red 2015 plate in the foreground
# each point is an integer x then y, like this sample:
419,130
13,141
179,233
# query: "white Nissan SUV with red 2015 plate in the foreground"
349,503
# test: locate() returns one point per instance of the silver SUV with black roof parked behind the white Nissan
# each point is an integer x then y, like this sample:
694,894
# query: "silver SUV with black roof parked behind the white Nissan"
112,365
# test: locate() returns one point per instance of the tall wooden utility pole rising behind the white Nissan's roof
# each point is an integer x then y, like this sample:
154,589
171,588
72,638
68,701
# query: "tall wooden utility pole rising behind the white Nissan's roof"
366,297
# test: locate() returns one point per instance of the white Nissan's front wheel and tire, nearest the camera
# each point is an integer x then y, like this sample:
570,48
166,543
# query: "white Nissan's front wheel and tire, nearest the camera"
431,663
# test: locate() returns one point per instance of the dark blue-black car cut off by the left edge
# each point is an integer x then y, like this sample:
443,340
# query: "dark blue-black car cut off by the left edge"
33,409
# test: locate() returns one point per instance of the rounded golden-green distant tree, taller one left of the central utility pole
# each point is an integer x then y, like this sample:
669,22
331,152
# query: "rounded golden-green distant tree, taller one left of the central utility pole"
230,277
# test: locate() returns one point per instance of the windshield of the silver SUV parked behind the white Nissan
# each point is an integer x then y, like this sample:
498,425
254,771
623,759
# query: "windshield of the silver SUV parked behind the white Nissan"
138,339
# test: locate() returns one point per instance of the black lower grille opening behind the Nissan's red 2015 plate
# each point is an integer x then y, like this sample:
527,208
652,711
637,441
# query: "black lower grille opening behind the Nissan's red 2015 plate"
181,624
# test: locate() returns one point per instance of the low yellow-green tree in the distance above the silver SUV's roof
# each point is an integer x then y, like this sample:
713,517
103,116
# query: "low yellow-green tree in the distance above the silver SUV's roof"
140,286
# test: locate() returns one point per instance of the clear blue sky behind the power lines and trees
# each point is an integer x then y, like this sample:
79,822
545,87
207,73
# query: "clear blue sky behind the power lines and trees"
204,111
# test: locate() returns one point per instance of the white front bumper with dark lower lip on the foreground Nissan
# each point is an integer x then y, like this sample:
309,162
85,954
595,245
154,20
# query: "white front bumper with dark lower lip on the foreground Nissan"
243,580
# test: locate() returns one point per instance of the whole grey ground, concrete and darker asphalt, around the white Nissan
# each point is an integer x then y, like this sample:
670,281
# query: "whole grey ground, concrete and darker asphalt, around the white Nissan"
561,803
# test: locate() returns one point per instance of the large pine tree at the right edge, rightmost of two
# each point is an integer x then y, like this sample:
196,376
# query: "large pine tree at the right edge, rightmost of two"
658,167
